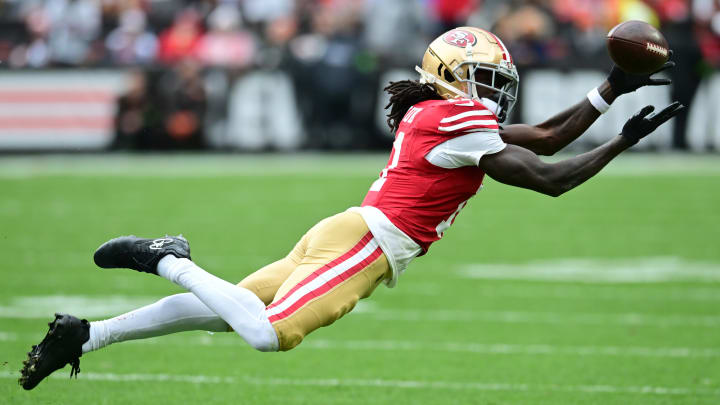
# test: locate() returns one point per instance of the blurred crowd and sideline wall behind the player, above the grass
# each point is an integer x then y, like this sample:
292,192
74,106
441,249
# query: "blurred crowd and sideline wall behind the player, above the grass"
307,74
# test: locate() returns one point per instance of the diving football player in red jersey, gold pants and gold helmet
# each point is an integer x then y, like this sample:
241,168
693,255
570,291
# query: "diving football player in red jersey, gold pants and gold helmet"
448,135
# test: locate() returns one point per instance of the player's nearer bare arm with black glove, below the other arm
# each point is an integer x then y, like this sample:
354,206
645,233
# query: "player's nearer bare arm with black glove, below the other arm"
520,167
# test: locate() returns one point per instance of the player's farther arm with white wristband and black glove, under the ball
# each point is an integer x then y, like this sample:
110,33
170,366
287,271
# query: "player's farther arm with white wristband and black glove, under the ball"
557,132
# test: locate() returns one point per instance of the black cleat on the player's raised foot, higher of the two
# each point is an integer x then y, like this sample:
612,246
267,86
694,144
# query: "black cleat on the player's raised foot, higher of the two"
131,252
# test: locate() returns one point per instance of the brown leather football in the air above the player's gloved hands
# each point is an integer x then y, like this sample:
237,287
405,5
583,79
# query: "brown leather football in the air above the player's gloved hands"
637,47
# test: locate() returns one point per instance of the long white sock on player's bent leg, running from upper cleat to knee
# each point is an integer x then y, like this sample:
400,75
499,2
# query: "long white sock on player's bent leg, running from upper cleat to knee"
239,307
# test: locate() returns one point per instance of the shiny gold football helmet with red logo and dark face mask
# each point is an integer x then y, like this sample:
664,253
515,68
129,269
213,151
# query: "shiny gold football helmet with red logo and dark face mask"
460,60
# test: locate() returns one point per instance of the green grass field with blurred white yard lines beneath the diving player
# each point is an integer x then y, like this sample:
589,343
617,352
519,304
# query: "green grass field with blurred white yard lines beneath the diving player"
607,295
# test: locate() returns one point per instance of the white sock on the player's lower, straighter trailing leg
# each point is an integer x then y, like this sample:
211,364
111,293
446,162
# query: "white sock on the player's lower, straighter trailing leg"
176,313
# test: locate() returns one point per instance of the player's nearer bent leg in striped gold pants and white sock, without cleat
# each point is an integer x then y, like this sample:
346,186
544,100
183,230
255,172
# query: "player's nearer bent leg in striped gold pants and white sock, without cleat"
339,249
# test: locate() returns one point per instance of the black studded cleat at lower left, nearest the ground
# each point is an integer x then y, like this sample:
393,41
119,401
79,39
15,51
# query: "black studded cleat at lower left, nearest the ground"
62,345
